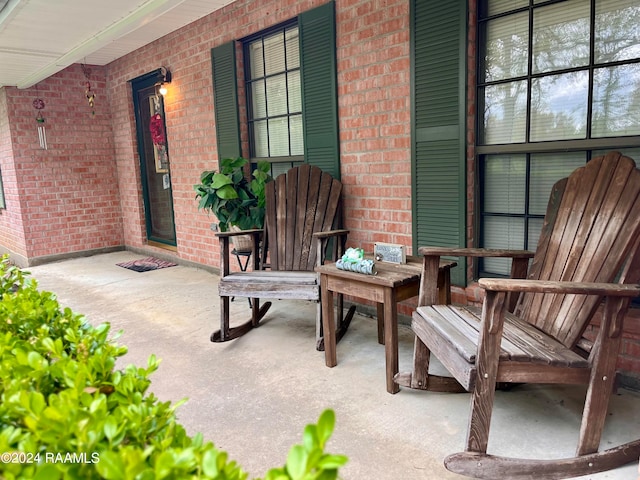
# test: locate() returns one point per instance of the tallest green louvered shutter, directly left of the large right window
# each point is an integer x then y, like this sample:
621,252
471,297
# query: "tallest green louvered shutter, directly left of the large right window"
438,38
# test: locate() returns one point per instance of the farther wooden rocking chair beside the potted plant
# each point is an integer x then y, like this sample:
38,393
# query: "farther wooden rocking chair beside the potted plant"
303,206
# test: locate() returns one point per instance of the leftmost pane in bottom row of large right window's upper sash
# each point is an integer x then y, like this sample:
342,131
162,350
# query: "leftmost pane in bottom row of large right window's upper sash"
505,113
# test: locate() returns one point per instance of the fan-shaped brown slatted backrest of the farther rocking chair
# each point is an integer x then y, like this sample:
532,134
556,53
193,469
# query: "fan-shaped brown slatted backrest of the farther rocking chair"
299,203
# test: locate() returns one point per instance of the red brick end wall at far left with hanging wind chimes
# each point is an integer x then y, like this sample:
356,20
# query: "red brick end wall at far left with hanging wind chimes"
68,194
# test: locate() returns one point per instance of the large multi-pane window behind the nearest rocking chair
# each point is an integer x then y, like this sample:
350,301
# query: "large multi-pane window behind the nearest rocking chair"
559,83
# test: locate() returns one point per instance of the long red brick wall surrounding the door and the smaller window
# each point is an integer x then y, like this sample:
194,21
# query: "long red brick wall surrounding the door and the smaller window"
374,110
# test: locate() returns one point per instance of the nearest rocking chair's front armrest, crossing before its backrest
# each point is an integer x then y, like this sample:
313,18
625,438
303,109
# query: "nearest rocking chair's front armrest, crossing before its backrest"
541,286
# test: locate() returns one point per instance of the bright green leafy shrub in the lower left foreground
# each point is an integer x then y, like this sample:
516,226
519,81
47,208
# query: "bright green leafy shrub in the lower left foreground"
66,412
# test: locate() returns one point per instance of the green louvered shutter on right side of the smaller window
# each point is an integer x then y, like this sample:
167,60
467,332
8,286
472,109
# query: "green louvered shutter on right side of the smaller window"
319,88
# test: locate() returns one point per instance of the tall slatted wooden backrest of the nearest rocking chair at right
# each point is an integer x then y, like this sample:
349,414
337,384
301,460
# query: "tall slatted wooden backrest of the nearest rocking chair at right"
591,227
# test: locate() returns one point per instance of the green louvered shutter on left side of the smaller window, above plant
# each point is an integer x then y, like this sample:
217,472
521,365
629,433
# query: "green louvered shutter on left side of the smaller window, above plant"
225,98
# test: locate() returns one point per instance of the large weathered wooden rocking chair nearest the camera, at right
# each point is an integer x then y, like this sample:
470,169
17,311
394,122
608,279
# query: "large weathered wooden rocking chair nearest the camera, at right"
590,239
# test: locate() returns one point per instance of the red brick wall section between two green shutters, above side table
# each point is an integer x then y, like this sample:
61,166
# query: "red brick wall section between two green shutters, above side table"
375,120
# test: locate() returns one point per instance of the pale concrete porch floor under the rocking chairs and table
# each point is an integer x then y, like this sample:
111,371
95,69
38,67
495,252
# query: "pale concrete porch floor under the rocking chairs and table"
253,396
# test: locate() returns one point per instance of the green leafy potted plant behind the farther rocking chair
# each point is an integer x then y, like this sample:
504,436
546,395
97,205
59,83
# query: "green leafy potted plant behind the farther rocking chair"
230,196
